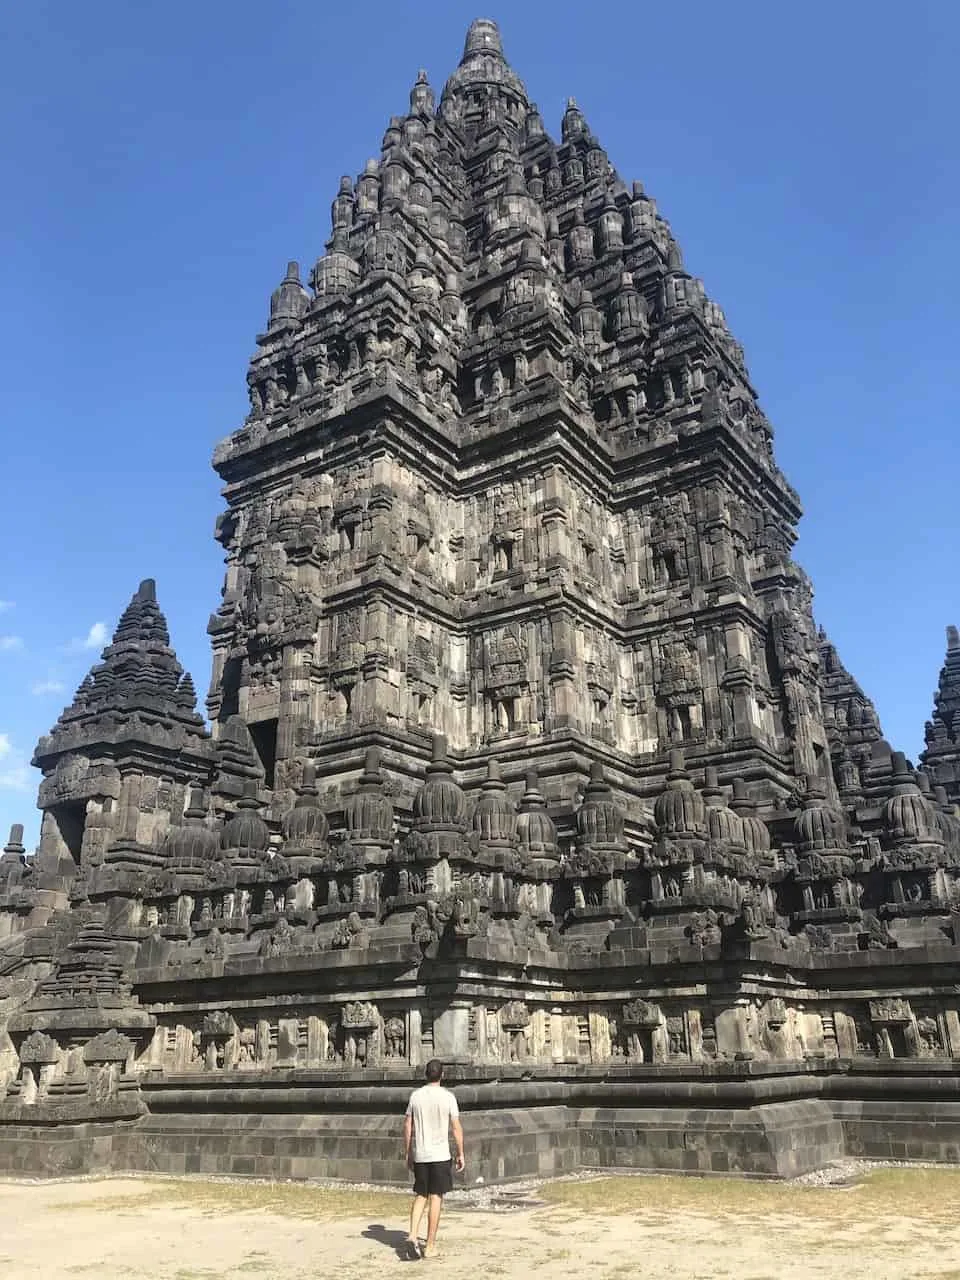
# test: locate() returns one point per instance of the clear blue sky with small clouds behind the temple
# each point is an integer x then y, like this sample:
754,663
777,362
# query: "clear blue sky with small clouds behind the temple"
164,162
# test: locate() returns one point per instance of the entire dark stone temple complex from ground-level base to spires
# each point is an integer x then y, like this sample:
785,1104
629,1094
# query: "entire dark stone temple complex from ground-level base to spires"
524,749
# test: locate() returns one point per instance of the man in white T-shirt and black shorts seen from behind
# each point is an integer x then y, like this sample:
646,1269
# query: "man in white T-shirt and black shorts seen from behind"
432,1117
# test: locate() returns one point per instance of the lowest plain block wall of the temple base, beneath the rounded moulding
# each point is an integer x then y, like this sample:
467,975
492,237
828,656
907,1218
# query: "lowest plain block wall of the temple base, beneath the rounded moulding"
767,1140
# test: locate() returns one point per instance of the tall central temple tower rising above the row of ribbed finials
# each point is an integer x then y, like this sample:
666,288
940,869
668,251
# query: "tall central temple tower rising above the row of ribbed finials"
505,479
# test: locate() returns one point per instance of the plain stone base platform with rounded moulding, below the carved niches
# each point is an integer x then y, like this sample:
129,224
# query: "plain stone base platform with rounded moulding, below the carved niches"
742,1121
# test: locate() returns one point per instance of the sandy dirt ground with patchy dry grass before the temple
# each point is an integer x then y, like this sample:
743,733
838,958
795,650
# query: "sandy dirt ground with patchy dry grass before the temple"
892,1223
